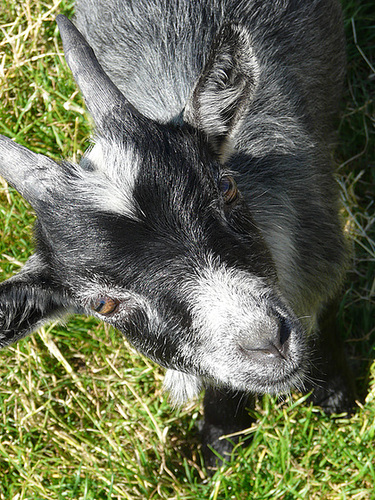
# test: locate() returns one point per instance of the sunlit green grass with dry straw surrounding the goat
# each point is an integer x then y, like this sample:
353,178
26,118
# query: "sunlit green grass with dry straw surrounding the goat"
82,416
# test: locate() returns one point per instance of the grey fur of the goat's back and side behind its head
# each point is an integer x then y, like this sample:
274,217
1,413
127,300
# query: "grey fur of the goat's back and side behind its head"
287,130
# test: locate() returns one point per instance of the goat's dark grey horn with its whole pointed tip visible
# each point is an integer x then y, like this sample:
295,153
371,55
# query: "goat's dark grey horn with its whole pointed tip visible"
102,97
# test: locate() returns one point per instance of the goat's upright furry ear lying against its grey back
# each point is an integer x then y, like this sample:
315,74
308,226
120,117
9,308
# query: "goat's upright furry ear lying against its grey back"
225,88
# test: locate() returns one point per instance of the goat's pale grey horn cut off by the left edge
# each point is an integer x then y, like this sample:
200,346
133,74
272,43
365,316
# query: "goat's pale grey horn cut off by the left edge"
31,174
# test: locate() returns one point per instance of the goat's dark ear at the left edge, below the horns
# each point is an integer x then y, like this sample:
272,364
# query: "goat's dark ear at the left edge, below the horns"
27,301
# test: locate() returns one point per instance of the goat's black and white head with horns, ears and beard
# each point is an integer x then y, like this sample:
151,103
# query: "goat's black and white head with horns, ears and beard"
151,234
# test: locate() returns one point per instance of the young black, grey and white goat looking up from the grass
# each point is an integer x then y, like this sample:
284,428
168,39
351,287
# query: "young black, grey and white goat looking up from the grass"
203,221
